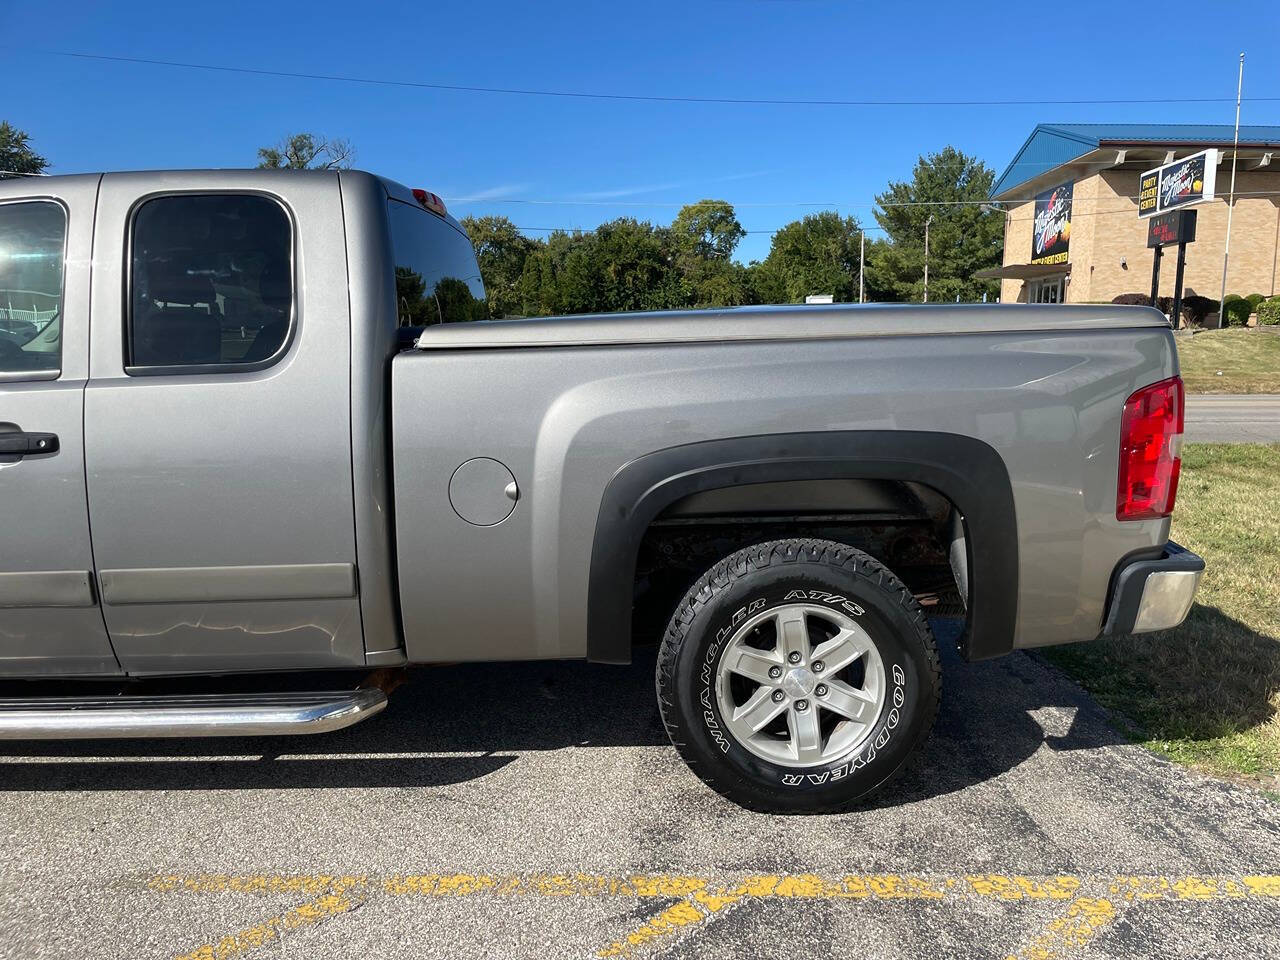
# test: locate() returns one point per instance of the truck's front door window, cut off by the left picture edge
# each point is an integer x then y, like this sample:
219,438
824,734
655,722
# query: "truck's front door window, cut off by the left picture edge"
33,239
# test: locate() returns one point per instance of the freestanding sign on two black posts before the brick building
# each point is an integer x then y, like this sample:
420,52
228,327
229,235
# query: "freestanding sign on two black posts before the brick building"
1167,195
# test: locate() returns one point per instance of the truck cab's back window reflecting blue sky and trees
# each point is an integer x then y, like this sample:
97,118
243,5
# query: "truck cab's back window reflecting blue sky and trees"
437,277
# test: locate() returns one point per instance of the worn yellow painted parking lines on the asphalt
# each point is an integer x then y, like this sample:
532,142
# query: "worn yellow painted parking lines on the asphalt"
703,898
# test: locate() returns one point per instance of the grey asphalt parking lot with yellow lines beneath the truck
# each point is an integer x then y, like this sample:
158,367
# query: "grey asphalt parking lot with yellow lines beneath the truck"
534,811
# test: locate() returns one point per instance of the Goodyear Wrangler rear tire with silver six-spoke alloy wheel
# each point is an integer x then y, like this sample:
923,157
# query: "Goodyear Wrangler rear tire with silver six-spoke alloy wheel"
798,676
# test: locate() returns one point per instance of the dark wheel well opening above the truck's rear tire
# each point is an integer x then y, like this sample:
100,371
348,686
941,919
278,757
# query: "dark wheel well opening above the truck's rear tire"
909,527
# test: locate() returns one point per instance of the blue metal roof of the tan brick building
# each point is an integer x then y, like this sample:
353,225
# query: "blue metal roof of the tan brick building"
1057,144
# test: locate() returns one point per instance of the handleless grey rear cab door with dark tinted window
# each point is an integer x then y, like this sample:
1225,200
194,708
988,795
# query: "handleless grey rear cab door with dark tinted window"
218,423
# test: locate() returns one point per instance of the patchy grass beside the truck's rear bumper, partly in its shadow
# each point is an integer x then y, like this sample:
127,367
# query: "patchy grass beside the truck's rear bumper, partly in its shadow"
1209,693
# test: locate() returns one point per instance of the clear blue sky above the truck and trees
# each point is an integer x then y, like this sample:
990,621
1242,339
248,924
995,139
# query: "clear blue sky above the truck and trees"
610,158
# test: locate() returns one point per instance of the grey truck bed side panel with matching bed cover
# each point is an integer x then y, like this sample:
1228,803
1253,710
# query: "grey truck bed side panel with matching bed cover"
565,419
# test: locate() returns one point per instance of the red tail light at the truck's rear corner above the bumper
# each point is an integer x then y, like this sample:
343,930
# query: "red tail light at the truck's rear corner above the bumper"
1151,446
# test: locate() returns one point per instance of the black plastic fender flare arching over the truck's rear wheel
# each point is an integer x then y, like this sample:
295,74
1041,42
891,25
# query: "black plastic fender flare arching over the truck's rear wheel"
966,470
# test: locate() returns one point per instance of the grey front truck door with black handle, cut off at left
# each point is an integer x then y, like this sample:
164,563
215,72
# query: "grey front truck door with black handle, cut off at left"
51,623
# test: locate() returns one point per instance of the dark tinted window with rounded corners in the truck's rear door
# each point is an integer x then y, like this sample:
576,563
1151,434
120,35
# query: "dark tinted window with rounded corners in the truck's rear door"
212,281
